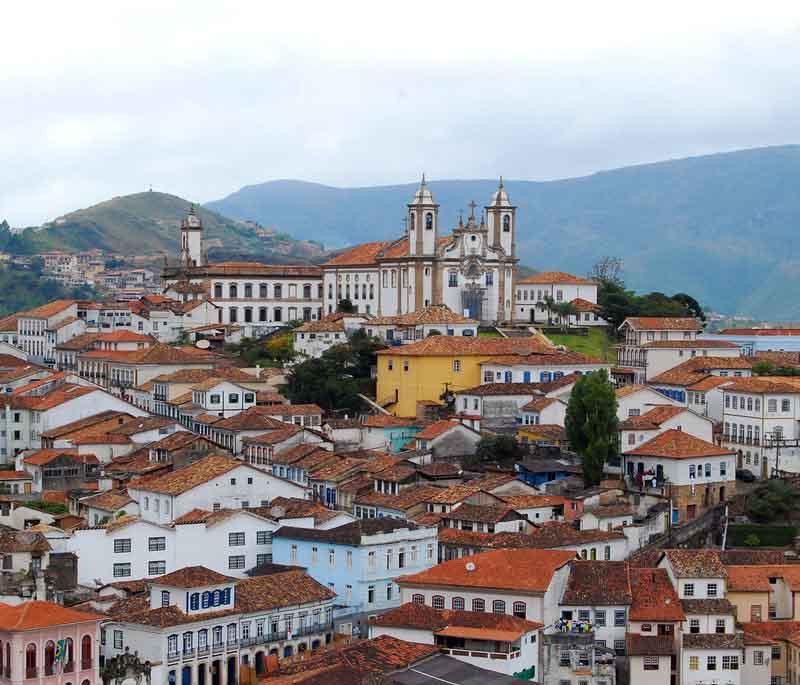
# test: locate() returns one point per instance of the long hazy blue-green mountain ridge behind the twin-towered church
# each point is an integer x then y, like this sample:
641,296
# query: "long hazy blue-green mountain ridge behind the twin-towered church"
721,227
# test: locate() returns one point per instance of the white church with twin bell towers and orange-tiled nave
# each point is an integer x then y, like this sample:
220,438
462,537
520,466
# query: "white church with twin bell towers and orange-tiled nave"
472,270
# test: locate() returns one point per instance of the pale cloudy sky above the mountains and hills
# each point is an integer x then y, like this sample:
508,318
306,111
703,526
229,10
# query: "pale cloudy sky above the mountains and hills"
200,98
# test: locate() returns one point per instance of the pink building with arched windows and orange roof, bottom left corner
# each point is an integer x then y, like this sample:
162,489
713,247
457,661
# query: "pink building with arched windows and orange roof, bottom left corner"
48,644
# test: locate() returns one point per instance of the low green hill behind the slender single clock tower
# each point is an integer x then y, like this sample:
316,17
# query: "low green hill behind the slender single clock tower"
147,224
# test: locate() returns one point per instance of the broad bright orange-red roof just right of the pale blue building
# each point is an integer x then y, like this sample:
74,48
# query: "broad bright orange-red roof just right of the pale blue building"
533,570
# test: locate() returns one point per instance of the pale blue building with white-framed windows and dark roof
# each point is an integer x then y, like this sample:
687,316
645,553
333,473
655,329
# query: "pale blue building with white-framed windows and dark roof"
360,562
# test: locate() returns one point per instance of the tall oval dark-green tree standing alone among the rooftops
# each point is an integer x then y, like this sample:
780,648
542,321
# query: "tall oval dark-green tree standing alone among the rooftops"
591,423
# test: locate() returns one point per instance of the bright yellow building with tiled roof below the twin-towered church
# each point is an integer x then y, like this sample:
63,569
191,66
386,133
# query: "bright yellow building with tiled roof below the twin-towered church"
428,369
